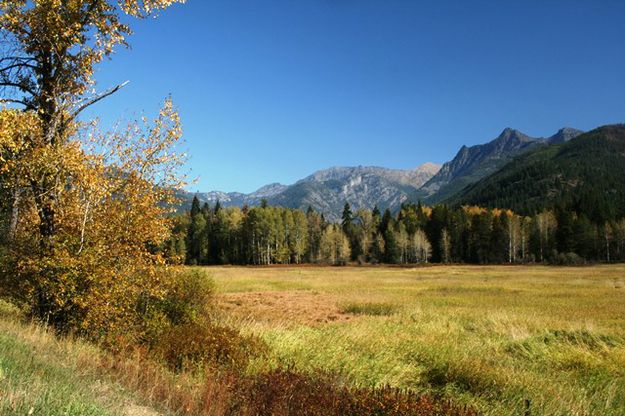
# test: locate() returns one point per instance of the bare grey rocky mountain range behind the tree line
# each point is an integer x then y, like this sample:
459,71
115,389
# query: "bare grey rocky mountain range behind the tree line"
367,186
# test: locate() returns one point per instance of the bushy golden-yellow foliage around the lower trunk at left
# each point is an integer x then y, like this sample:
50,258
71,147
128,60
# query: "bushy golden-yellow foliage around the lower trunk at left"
112,197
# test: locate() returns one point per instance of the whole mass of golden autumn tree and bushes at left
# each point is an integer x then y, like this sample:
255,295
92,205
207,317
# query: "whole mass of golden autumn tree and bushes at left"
84,210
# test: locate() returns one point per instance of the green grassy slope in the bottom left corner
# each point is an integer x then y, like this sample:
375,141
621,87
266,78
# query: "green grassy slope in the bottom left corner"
43,375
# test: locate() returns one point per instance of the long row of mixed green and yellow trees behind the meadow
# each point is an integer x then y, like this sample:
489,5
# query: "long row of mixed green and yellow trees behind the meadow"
265,235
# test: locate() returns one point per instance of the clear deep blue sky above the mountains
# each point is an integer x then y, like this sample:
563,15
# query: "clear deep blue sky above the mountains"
272,90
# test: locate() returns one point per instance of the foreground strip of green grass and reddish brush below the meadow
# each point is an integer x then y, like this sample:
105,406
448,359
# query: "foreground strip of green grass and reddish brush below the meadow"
43,375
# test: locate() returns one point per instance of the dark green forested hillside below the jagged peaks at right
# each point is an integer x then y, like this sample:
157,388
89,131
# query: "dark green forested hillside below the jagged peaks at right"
585,175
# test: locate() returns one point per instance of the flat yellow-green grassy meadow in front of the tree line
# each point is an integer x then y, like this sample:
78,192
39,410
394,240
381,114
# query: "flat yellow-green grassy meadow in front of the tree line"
498,338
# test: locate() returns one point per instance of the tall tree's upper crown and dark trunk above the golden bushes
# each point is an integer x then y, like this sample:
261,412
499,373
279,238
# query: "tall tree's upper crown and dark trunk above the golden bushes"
49,51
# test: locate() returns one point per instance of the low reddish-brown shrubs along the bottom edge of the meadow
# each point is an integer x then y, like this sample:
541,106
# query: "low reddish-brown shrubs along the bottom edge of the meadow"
279,392
